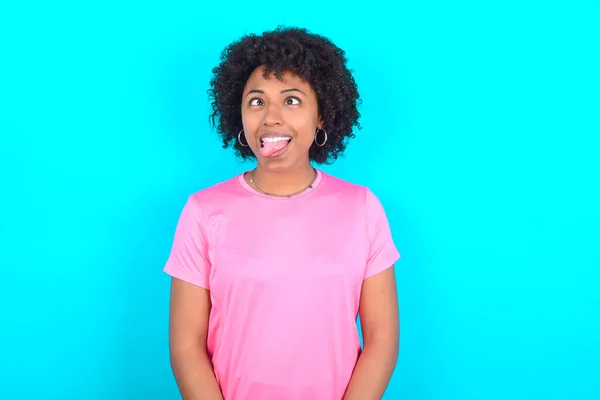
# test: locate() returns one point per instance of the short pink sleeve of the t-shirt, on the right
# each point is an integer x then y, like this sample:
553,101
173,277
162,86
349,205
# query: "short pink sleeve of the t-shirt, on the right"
382,250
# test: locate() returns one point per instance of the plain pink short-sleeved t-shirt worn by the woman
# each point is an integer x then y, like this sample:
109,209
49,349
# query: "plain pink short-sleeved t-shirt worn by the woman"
285,278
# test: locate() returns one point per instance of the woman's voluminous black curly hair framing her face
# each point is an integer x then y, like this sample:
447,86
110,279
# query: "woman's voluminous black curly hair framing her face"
313,58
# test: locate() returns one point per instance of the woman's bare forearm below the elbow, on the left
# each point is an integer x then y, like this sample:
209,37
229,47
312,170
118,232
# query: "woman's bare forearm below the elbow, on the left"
195,375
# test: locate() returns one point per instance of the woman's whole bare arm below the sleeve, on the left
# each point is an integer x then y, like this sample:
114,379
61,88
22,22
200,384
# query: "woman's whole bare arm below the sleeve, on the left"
188,327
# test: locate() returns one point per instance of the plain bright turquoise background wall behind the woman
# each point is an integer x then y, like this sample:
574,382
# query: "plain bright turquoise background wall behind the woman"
481,138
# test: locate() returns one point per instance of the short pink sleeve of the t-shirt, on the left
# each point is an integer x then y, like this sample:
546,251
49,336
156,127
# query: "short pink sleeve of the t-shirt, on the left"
188,259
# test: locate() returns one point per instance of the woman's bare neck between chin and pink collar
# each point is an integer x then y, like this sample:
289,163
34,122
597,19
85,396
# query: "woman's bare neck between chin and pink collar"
283,182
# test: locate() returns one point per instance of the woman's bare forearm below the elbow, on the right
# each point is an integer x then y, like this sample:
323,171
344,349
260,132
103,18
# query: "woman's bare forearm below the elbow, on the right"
372,372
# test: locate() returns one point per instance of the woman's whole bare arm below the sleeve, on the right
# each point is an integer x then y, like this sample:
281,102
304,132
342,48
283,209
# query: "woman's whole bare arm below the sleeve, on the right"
379,319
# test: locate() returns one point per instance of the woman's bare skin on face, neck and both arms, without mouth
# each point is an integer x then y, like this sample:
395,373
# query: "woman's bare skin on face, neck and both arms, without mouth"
290,105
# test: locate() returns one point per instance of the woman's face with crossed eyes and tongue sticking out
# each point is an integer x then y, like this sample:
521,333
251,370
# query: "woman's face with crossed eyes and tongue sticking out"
280,119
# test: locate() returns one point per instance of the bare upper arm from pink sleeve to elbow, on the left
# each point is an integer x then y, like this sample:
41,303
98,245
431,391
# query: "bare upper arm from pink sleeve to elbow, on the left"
188,315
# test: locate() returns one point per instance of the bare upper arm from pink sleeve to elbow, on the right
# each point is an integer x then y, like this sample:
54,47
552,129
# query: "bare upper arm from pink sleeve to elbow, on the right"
378,309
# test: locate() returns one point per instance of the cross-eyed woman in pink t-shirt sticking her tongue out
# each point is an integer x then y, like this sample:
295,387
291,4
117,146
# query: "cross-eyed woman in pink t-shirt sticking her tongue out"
270,268
